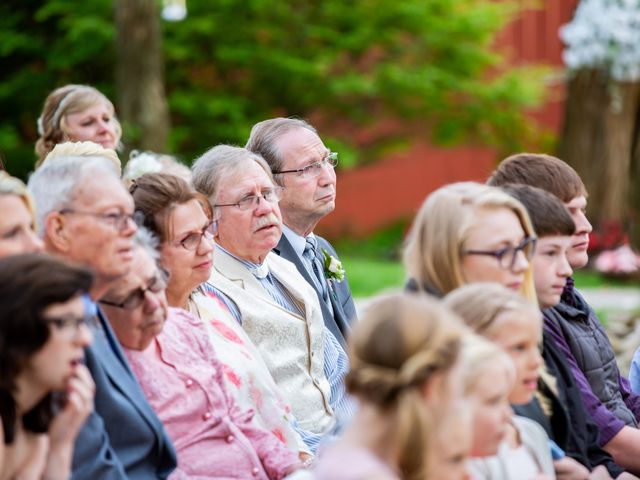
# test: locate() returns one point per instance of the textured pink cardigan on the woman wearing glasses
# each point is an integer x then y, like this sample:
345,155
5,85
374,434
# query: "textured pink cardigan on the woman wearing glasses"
214,439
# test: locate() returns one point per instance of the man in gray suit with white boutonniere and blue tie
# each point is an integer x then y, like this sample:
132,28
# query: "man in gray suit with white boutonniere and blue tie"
304,167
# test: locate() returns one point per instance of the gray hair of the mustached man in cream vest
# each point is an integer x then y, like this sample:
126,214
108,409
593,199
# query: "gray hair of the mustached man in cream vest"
218,163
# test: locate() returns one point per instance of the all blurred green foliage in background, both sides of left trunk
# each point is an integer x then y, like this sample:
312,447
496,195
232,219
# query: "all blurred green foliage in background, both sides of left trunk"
424,67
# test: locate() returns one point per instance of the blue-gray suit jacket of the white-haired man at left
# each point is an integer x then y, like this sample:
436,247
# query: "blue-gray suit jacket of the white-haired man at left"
122,438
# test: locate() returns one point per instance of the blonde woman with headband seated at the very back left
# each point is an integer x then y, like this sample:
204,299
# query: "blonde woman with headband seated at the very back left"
77,113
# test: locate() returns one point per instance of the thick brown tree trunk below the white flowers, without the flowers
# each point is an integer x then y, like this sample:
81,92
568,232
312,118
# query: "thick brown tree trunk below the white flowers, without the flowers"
598,141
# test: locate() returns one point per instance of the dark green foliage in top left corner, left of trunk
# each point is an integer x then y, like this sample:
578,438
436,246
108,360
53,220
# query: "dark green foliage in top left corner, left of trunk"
44,45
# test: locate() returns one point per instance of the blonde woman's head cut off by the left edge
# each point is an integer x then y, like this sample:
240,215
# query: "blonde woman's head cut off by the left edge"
17,218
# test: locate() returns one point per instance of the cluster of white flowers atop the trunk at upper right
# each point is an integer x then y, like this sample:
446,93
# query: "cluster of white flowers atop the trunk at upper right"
604,34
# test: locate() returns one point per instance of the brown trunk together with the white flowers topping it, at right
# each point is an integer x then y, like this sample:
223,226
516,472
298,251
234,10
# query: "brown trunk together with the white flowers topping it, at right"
600,134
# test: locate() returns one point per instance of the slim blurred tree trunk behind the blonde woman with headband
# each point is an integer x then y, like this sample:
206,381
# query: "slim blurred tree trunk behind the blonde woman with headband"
142,103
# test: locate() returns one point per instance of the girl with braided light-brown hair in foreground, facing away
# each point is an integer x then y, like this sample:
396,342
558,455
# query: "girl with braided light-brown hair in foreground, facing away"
404,357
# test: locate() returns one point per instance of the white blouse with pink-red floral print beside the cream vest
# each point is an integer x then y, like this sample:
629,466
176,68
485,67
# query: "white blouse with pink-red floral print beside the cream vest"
245,371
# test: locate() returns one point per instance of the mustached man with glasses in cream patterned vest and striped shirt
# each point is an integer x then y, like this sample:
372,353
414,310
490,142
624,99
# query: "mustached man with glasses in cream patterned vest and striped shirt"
276,306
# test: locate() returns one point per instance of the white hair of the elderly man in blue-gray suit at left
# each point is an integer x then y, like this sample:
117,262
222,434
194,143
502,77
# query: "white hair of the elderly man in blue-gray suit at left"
53,186
